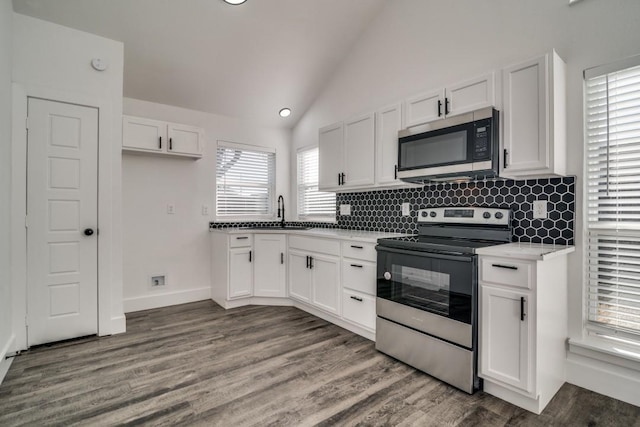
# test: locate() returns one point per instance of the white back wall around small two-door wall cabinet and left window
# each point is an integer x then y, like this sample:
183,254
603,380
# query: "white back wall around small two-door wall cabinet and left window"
178,245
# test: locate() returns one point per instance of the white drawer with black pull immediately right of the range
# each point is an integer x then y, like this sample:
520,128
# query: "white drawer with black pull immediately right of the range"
507,272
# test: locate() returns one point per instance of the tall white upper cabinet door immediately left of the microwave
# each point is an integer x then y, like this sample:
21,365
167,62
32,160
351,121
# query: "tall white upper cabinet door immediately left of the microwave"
388,123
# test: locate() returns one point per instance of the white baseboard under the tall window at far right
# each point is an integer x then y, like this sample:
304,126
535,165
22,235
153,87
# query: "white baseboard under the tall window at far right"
604,378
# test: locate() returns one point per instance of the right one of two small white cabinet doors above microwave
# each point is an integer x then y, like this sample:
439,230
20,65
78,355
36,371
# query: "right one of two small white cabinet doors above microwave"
470,95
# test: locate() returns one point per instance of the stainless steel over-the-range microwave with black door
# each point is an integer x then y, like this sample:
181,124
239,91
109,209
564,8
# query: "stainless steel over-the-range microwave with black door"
459,147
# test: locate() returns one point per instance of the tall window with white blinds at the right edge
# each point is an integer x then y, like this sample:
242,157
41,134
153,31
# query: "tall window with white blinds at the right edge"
612,130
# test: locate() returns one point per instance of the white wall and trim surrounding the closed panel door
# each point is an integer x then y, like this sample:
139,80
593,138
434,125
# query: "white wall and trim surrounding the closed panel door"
53,62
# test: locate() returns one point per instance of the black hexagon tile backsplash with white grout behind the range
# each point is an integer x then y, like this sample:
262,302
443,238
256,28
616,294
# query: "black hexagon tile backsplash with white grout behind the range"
381,210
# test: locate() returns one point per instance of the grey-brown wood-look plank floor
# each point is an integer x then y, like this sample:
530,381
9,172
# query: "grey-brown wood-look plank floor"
197,364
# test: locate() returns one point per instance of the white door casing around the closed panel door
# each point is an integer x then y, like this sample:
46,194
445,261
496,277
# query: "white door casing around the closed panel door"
109,184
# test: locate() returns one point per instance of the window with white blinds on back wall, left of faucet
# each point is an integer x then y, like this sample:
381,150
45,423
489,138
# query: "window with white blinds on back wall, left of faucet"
245,181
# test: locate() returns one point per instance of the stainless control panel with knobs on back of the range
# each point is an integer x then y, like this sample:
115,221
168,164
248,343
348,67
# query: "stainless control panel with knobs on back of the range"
465,215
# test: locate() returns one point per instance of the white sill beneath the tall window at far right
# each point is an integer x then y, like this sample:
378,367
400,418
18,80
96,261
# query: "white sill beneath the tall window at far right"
615,353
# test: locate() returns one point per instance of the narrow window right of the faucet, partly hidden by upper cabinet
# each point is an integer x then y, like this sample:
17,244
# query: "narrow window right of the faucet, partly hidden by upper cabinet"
312,204
